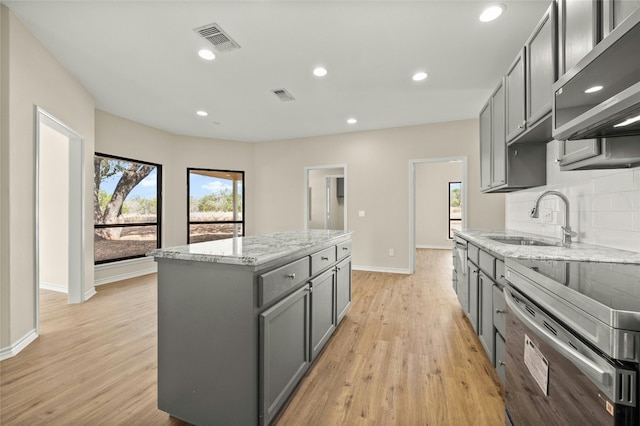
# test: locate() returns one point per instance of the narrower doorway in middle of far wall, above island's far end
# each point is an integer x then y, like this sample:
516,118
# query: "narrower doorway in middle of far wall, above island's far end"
326,197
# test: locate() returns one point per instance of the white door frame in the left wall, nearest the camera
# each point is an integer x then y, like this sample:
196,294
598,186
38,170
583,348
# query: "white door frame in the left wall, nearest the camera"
76,255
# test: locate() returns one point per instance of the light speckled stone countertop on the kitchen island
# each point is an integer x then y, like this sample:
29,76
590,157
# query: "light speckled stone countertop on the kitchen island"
258,250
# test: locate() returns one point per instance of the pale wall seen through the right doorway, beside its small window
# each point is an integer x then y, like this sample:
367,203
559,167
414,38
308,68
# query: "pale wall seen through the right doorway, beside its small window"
432,202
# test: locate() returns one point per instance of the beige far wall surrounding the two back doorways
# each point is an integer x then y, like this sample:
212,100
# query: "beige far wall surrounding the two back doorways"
378,183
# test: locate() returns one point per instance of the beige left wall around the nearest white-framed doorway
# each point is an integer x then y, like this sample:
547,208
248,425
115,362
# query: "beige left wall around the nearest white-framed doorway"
32,76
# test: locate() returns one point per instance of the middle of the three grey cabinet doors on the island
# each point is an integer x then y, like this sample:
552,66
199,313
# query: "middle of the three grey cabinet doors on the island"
323,312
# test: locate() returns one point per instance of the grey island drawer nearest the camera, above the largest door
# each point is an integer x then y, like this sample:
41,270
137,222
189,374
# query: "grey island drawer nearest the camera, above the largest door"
279,281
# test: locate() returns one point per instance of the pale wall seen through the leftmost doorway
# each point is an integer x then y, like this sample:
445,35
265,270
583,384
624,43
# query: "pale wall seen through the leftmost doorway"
54,209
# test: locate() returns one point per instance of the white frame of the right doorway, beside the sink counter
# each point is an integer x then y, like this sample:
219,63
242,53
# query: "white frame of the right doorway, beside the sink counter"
412,199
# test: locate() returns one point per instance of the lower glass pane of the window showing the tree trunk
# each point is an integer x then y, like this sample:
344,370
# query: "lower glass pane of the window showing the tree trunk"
115,243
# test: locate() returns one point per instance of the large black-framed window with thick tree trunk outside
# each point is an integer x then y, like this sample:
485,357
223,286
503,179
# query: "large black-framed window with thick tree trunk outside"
126,208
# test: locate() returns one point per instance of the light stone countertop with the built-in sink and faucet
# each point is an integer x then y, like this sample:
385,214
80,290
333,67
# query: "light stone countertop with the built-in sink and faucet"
574,252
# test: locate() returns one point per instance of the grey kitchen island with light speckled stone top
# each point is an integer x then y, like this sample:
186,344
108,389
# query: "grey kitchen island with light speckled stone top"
241,320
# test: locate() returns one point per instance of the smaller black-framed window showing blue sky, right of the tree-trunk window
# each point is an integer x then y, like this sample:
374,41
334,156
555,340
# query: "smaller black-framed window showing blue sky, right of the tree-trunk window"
216,204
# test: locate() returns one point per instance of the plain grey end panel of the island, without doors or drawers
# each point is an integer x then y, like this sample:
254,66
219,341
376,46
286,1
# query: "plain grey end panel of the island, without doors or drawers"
207,343
